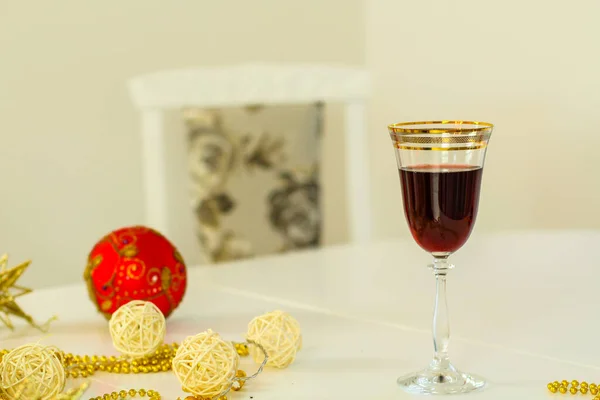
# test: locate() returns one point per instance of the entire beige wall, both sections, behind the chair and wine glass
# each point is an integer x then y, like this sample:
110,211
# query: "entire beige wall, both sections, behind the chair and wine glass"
69,147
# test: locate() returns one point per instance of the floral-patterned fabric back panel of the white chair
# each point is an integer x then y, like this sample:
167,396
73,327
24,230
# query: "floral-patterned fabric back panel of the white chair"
254,174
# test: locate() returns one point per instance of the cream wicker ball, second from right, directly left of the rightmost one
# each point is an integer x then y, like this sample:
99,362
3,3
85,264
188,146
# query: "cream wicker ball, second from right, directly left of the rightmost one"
205,364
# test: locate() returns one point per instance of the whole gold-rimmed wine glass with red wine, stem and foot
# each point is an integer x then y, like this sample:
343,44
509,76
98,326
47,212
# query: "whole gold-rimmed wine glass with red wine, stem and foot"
440,165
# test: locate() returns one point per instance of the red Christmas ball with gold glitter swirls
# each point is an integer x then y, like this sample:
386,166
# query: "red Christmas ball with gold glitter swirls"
135,263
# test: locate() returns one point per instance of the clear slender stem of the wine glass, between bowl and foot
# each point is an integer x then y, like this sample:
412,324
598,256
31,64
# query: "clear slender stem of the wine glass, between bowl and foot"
441,322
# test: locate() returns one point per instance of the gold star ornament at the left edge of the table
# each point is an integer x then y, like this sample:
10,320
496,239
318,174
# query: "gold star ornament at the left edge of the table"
9,291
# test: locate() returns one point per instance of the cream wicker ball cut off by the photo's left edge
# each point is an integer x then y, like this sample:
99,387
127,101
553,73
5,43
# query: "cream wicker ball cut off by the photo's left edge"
32,369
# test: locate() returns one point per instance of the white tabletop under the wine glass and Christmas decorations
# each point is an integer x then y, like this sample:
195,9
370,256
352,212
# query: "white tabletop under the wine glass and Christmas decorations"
523,310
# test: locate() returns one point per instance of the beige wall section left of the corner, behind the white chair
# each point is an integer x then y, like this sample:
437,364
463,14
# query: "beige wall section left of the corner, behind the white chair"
69,145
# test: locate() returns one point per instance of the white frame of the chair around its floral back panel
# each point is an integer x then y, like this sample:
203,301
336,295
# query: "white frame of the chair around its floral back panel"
200,92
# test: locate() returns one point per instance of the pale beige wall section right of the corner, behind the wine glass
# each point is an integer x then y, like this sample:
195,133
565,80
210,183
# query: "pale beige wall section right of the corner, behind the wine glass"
531,67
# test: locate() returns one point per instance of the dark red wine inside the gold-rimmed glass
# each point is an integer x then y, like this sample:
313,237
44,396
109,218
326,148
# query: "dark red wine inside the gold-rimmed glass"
440,204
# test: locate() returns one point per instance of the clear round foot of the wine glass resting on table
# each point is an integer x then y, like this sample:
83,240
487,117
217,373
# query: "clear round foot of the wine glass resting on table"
440,380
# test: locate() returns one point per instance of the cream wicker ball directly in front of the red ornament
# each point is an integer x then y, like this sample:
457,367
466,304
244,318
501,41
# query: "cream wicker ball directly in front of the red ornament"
137,328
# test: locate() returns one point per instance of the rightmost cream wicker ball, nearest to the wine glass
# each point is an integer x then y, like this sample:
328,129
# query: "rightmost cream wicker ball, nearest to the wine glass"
279,333
